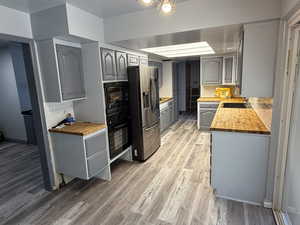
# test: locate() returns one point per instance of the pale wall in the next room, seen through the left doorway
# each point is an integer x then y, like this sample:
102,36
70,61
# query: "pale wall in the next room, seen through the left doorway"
11,119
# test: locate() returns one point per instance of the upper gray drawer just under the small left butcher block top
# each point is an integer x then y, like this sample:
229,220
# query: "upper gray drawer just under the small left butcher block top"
95,144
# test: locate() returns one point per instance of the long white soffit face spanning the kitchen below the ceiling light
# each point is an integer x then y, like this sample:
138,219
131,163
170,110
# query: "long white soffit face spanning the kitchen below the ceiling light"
189,15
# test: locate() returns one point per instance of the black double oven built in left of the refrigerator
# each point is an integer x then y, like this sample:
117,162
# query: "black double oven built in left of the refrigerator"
117,116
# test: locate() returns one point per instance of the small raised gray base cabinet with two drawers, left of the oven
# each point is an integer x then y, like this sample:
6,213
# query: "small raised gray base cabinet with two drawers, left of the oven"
81,156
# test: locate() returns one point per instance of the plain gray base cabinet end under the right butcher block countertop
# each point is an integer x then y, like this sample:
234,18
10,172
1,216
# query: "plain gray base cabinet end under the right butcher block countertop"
239,166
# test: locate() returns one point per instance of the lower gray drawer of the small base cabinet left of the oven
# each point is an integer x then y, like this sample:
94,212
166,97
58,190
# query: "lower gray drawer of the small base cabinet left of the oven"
97,163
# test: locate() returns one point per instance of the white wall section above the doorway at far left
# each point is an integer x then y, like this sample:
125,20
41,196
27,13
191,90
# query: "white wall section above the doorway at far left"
15,23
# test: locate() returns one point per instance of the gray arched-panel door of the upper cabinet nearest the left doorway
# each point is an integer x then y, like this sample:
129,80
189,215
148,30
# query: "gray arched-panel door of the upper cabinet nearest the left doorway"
70,72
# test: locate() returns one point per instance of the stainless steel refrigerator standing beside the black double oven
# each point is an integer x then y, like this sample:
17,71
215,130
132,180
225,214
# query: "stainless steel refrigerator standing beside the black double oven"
144,111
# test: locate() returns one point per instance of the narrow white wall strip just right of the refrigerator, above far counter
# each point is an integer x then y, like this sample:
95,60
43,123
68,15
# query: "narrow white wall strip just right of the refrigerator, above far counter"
166,90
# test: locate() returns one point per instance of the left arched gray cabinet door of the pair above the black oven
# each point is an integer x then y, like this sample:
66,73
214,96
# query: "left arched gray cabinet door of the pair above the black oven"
108,64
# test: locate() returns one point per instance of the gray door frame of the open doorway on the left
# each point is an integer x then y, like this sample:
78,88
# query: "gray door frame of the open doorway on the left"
33,73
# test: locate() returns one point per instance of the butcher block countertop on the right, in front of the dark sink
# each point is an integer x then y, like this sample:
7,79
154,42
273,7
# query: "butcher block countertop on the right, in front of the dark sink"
243,120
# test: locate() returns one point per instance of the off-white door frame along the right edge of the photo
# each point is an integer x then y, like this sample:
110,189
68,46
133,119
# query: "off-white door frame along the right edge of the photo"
291,66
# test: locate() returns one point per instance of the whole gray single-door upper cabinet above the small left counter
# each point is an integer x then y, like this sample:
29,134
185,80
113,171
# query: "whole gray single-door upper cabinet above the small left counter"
62,71
